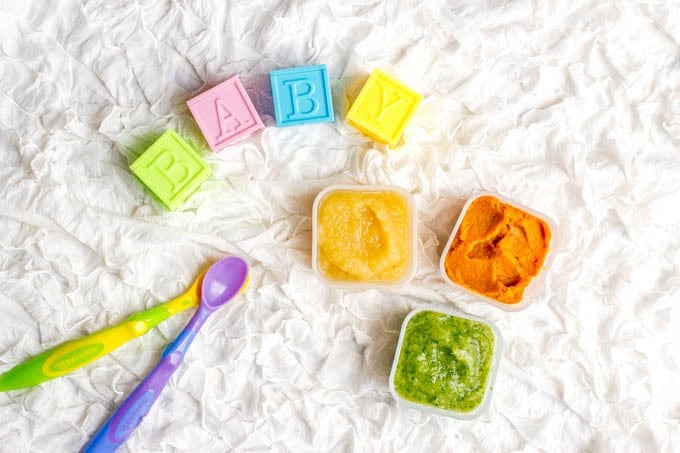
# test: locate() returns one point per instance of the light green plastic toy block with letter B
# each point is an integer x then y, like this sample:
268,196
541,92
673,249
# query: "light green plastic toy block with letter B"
171,169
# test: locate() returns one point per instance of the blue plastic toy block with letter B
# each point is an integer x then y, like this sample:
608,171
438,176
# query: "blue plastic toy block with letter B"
302,95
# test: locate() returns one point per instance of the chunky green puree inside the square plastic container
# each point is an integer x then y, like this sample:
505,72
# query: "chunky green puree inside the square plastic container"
444,361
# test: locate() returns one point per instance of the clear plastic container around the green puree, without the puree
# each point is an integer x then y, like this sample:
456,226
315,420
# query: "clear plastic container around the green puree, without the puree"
490,383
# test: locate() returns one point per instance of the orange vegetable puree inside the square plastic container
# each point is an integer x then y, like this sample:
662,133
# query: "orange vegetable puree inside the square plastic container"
498,250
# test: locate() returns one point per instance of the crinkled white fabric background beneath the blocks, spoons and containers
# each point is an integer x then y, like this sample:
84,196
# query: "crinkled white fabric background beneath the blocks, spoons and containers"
570,107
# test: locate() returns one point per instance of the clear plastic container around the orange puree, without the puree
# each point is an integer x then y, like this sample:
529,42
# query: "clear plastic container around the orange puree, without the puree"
536,285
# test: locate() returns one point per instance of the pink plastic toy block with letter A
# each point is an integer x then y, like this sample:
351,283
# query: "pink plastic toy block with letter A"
225,114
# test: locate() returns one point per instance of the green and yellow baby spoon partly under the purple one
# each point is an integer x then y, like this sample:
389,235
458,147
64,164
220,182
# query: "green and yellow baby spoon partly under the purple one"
70,356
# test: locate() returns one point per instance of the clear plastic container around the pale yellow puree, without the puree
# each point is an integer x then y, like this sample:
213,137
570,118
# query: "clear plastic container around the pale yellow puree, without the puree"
412,245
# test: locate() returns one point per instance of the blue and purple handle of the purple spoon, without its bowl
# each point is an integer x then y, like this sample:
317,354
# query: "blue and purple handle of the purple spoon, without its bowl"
122,423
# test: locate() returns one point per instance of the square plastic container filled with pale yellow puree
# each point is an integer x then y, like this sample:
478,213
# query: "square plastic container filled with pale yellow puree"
364,236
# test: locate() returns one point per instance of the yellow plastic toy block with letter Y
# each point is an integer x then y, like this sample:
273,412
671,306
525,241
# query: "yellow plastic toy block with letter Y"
383,108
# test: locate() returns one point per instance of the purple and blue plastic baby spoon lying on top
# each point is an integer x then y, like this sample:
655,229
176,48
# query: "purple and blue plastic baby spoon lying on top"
224,280
